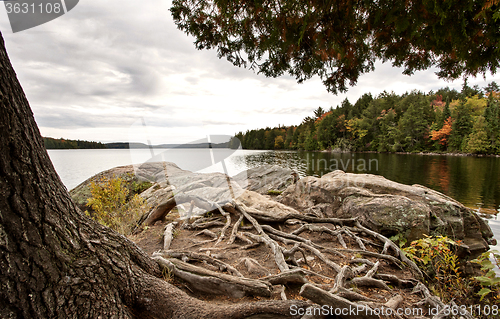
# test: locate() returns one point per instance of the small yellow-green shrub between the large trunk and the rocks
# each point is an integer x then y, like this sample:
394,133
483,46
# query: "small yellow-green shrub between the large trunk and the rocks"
110,205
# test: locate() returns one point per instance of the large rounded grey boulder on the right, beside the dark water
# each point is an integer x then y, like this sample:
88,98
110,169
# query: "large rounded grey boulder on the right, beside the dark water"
389,208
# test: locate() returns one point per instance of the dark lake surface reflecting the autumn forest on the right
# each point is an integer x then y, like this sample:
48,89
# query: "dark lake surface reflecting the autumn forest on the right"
474,181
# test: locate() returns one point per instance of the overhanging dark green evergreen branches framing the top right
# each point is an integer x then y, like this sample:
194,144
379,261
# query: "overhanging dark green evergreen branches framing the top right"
340,41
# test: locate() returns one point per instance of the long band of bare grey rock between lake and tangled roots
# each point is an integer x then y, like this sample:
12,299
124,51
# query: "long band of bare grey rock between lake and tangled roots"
382,205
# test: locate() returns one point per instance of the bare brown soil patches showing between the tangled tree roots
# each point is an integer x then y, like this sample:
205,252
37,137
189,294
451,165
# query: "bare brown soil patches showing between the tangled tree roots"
151,240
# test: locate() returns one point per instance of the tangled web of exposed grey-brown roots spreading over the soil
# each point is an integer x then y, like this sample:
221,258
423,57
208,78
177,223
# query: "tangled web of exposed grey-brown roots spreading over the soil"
327,284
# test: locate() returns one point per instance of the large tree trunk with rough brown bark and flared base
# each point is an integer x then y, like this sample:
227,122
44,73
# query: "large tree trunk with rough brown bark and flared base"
56,262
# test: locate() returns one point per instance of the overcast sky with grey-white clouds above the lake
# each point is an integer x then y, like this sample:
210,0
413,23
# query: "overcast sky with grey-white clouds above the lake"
121,71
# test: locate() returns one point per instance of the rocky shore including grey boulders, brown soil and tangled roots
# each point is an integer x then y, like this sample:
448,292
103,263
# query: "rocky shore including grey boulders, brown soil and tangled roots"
325,240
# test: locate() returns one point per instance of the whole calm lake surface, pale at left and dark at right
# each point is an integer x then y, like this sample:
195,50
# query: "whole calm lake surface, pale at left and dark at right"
473,181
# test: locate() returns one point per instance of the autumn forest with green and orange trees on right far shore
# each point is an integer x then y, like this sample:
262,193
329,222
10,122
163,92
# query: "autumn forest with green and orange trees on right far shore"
445,121
